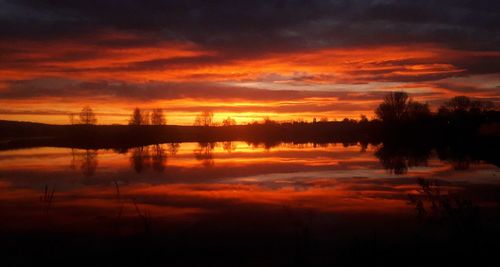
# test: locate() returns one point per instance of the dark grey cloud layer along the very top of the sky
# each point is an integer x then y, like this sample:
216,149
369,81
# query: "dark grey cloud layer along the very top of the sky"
261,26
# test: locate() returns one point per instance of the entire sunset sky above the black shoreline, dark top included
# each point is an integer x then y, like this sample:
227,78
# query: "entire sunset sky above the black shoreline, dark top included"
285,60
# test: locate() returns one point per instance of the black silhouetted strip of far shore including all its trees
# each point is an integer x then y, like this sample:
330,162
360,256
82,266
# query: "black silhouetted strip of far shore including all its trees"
399,120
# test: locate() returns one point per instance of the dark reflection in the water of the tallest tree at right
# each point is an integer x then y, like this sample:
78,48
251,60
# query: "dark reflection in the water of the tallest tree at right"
397,159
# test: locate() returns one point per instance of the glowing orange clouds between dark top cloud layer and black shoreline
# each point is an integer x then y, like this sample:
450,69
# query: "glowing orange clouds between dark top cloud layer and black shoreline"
114,76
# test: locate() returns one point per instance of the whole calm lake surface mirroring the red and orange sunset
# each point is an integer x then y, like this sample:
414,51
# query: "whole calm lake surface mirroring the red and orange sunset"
238,204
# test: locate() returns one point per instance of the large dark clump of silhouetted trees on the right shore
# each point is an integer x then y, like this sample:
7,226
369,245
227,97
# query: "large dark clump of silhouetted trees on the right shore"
458,117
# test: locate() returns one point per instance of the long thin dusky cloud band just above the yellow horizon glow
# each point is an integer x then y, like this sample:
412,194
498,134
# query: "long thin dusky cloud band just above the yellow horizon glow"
150,91
